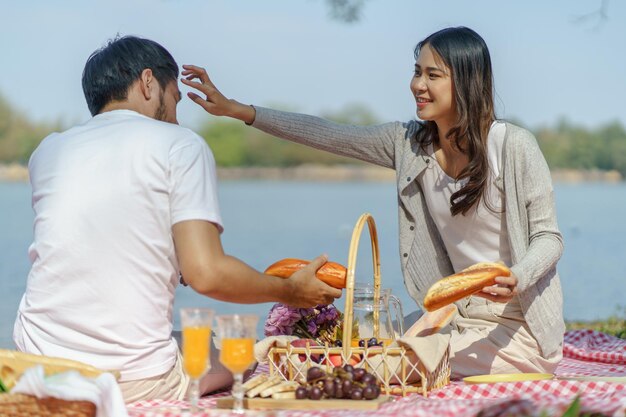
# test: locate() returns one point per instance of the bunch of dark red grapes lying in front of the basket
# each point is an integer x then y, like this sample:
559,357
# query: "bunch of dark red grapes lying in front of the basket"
343,382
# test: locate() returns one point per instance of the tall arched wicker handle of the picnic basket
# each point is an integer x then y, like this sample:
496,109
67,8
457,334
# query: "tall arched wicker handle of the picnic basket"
348,317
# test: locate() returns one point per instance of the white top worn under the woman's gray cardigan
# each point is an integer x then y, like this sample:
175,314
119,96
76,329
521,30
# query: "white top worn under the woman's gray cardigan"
481,235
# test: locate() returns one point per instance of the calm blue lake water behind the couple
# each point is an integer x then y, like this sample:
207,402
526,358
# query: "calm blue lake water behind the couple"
269,220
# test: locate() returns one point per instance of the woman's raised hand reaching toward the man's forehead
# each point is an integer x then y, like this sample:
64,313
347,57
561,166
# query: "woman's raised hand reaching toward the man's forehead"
215,102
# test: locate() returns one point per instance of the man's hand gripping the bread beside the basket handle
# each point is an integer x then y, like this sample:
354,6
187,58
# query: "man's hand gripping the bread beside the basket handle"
308,290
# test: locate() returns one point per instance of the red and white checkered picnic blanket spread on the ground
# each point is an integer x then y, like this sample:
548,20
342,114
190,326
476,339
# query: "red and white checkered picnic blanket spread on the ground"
586,353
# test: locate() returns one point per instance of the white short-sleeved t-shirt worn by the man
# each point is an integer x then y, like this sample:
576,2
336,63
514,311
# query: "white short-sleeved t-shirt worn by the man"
104,269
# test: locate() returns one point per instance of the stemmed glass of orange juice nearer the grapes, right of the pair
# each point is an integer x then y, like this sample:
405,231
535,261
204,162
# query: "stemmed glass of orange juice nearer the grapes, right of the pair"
237,335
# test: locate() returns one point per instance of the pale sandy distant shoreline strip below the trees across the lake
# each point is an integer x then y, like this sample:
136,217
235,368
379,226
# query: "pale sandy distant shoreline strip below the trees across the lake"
15,172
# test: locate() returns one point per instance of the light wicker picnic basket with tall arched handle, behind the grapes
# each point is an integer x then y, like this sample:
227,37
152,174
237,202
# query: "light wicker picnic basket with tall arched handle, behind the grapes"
397,368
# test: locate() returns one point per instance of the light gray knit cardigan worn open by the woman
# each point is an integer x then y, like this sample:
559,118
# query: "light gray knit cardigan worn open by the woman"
535,240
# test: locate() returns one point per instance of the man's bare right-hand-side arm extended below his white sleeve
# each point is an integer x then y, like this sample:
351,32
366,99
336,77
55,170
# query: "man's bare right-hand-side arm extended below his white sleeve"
211,272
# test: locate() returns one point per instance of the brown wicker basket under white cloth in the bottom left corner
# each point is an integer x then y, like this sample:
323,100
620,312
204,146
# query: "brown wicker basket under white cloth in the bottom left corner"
20,405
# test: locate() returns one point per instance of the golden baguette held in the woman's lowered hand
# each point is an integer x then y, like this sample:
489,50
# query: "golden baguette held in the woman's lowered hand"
463,284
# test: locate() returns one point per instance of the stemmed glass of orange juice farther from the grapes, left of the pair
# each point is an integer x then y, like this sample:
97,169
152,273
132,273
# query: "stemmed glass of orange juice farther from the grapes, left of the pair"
196,324
